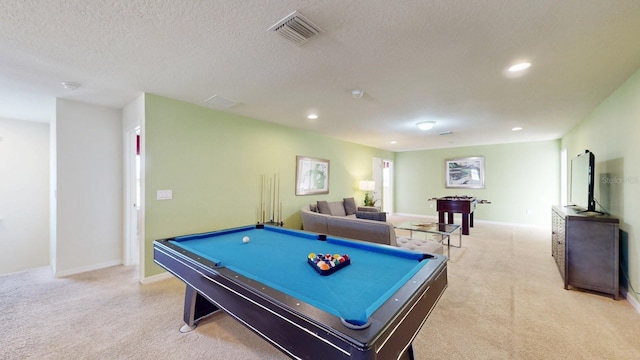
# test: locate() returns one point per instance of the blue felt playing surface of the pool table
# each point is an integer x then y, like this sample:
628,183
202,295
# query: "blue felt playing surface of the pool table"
277,257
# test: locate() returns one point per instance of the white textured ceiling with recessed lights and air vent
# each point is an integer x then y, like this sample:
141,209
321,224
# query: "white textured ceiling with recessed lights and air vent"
416,60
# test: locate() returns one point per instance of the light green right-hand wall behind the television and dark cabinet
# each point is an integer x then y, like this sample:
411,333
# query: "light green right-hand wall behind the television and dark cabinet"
612,133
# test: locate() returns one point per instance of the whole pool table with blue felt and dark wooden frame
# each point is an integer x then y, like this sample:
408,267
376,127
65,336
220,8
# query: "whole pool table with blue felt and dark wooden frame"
371,308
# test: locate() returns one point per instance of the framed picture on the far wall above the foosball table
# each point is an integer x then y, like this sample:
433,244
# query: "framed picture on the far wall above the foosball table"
465,173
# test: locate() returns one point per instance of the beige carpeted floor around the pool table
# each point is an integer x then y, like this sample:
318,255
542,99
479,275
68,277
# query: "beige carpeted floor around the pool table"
505,300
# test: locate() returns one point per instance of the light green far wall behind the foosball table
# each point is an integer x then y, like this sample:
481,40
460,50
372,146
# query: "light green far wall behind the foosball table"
521,181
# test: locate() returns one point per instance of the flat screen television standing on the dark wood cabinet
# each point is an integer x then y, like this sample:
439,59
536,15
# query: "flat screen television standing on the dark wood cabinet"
582,181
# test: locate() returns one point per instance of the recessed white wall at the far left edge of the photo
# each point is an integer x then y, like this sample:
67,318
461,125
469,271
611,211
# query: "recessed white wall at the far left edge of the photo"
24,200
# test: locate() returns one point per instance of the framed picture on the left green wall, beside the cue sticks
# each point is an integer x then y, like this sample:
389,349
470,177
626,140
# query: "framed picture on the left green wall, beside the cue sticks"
312,176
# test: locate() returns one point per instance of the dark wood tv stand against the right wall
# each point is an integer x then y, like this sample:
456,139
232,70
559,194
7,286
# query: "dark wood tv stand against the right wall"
586,249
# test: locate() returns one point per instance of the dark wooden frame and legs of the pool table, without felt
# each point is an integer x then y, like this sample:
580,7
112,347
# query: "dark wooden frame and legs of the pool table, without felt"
296,328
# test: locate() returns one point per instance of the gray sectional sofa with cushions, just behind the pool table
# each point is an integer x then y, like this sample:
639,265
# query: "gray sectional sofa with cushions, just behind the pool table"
340,220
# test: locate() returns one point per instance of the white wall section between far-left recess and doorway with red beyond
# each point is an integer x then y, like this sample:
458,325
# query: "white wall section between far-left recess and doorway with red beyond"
88,202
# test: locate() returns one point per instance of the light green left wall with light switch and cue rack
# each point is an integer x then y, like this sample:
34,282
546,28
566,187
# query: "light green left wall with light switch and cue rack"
214,162
